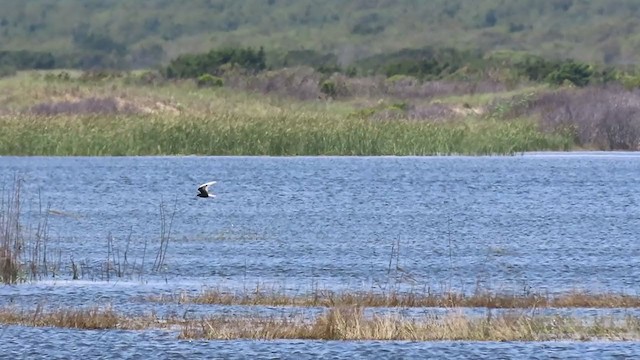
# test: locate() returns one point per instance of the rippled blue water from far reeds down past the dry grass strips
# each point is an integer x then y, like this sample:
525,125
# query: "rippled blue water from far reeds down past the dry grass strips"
537,222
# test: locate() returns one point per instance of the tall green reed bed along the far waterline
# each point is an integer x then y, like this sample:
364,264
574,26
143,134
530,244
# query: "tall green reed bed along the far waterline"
282,134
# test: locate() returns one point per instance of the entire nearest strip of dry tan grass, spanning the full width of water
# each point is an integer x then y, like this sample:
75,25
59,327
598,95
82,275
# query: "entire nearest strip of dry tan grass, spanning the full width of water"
342,323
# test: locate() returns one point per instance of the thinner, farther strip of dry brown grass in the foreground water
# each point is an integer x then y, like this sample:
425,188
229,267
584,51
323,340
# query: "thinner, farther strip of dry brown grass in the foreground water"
322,298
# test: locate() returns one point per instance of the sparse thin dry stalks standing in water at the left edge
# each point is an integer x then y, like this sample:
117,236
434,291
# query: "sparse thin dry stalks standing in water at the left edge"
27,255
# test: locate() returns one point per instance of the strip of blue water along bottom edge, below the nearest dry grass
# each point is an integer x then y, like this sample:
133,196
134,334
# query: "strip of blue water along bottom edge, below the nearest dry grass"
33,343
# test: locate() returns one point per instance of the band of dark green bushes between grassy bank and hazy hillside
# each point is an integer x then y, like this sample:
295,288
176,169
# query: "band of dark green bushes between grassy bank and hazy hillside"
428,63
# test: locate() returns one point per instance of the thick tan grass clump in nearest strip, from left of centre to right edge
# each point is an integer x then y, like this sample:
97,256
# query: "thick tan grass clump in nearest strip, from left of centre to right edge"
351,323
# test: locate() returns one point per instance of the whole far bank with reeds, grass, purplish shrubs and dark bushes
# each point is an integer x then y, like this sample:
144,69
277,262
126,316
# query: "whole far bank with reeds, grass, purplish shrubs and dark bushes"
226,102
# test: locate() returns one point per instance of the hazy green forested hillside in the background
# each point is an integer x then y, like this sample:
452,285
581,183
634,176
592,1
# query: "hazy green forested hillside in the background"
126,34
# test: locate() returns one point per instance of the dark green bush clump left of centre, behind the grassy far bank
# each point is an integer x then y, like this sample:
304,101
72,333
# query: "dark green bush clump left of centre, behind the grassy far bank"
194,65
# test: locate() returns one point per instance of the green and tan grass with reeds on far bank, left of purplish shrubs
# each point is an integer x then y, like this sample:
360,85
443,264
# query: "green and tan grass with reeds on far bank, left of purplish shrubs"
115,118
